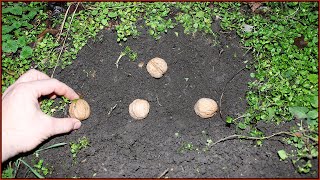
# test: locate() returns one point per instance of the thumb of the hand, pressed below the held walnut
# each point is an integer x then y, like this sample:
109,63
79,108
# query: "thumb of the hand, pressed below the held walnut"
64,125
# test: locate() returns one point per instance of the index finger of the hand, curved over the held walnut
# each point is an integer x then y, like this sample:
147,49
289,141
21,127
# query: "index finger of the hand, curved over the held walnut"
52,86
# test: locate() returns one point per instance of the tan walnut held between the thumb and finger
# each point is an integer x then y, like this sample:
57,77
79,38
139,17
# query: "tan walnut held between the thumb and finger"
79,109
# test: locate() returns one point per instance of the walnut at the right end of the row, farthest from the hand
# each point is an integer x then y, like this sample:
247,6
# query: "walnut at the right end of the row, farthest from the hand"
206,107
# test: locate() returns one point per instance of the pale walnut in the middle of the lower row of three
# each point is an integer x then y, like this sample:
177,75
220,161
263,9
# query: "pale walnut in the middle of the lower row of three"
139,109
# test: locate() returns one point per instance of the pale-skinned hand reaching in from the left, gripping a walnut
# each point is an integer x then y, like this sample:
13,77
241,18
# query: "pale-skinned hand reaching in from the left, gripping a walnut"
24,125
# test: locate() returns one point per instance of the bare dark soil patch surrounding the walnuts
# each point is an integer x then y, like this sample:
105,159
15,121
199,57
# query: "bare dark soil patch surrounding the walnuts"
199,66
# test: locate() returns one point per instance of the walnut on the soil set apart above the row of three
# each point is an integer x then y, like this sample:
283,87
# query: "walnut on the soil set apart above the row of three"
157,67
